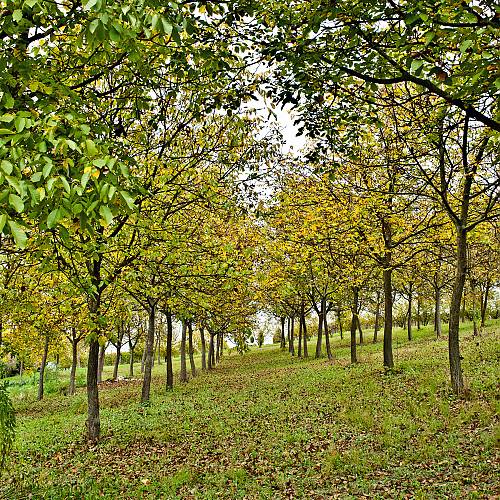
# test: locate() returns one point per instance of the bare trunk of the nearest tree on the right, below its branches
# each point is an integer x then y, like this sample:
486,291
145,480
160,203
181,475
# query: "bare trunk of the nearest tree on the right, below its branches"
454,325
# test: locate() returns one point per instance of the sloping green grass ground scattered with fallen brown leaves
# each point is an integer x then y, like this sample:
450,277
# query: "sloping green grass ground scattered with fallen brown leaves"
265,425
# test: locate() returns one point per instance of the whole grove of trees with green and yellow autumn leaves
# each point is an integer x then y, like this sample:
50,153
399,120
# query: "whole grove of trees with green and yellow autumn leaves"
127,155
